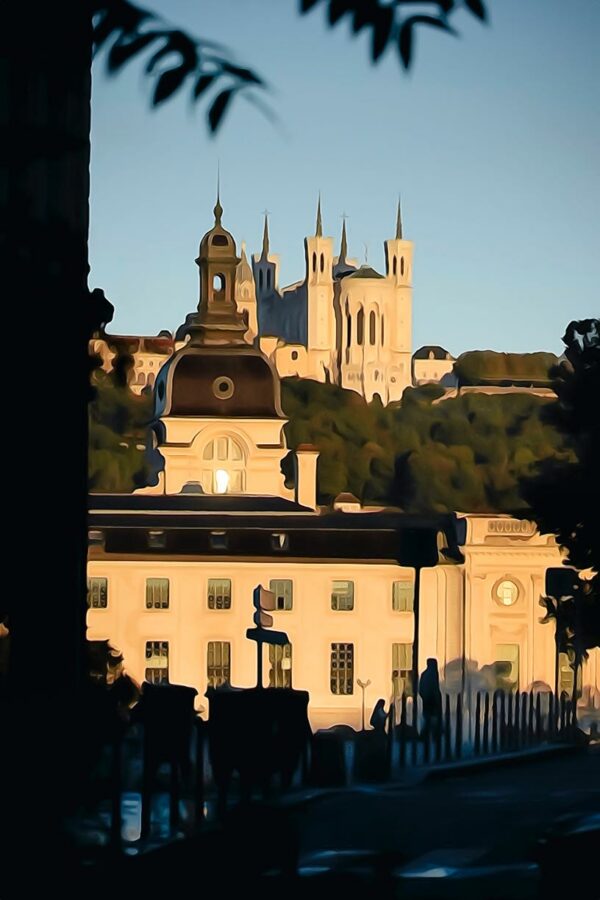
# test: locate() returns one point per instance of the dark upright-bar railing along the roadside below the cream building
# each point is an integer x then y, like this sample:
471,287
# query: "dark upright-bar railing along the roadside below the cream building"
476,726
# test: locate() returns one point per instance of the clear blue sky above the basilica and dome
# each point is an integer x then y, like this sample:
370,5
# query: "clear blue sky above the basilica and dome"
493,141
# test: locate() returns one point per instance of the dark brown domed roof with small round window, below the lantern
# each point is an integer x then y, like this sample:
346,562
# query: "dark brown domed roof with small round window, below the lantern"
236,382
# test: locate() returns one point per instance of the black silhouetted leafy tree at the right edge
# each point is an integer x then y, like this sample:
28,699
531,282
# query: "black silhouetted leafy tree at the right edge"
564,494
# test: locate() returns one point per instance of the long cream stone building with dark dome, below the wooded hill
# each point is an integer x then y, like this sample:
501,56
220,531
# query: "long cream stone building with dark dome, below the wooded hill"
172,568
